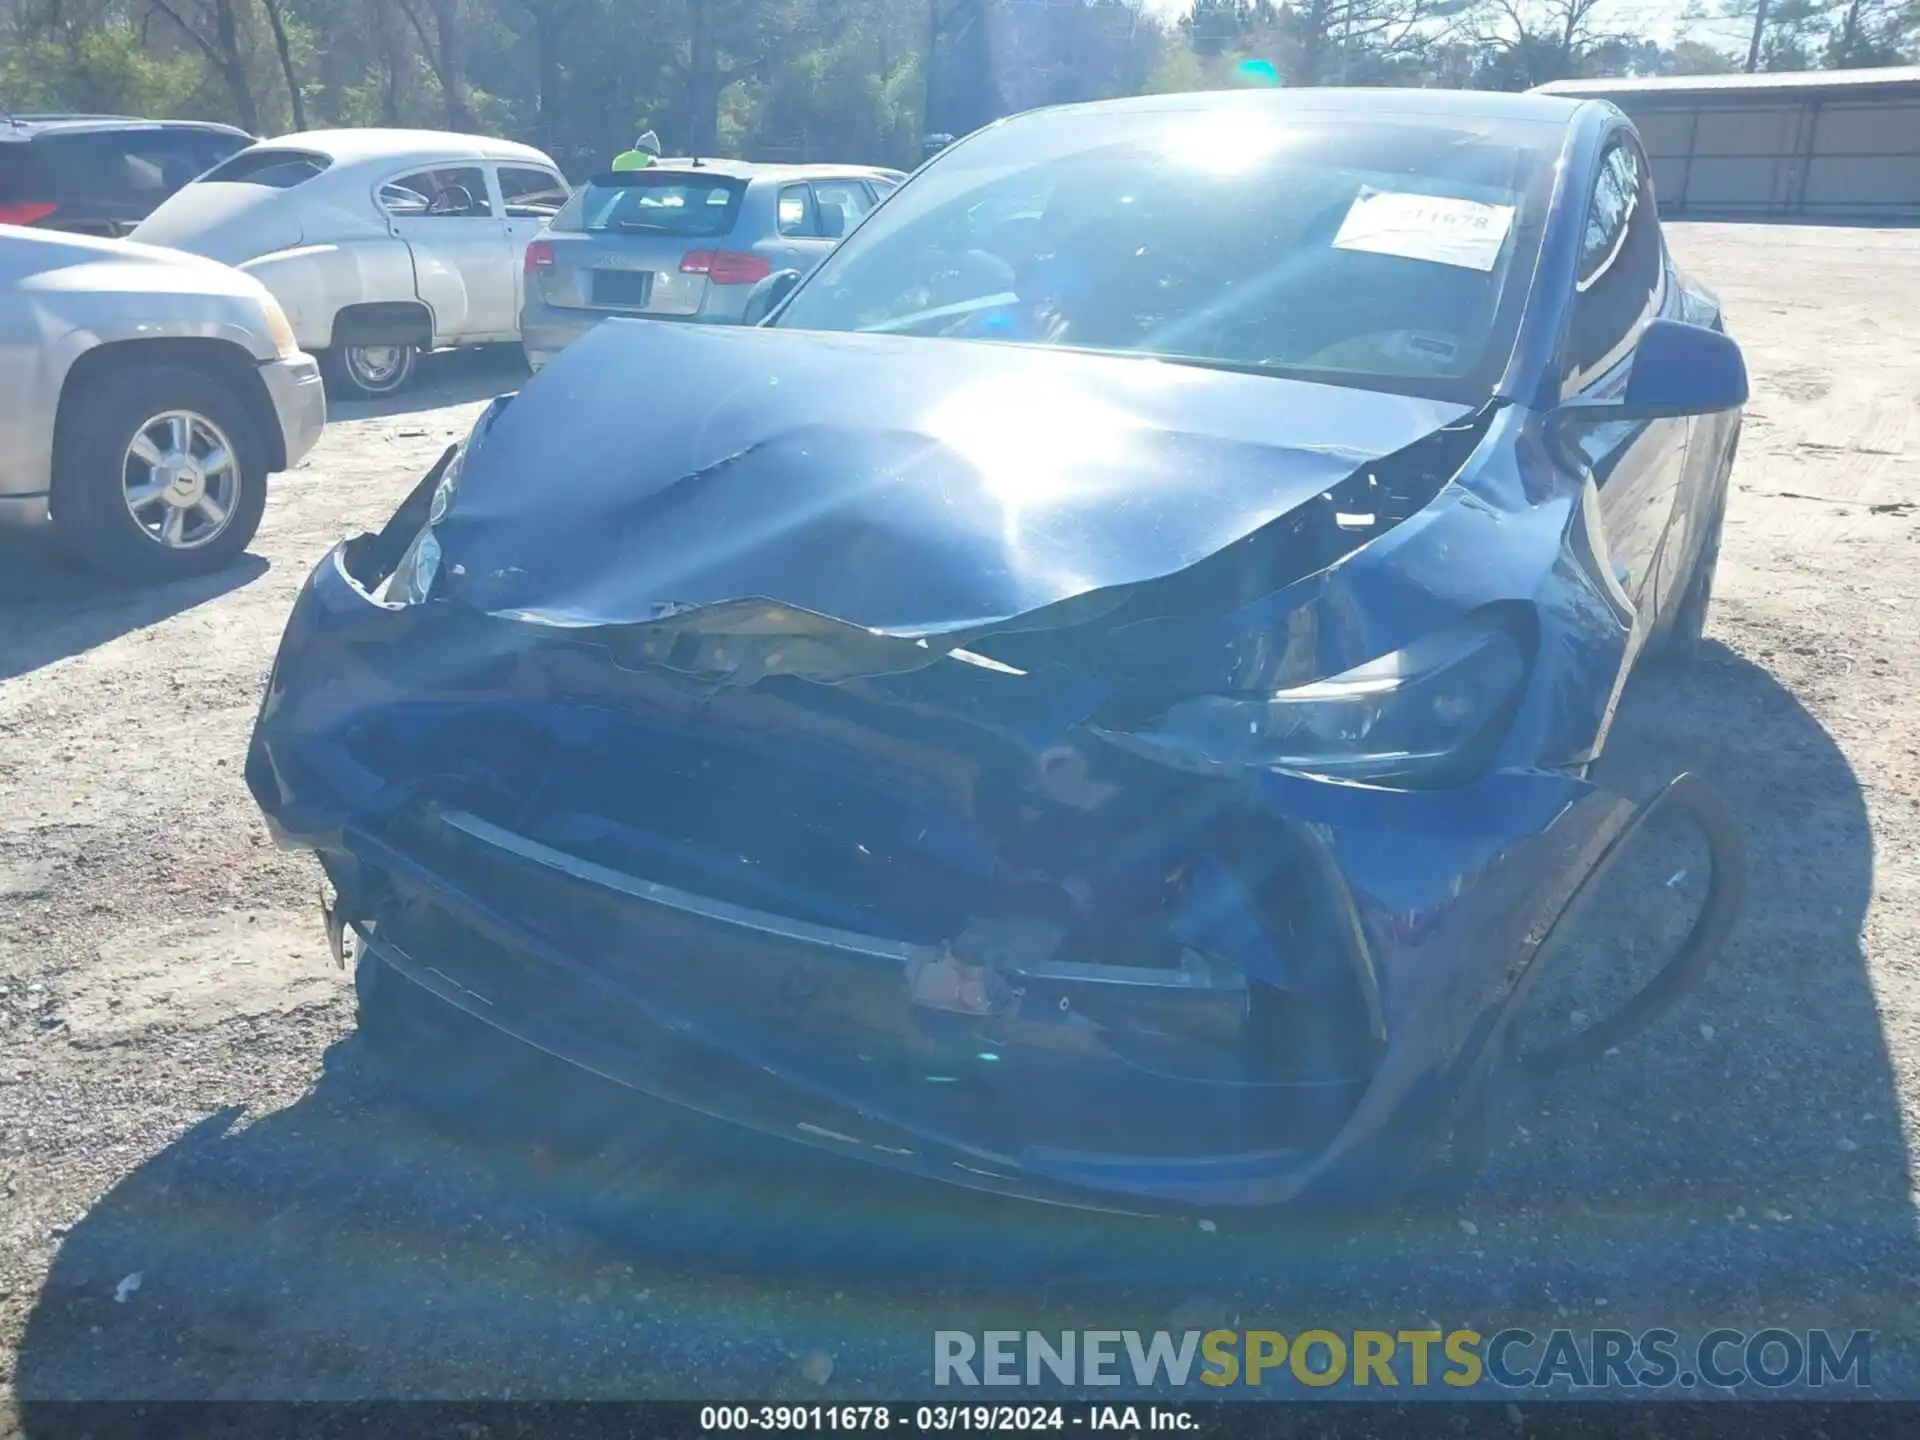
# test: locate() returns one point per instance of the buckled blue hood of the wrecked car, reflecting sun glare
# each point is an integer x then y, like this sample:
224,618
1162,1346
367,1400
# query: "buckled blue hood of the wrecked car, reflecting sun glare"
901,485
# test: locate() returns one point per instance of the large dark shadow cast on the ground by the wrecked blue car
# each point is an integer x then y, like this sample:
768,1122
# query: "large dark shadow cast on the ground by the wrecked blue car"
1740,1164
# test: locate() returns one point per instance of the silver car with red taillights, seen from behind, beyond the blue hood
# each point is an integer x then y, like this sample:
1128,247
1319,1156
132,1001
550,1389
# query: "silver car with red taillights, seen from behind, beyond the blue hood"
684,241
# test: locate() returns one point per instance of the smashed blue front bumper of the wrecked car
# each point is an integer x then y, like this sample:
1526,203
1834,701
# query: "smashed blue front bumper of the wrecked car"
965,1055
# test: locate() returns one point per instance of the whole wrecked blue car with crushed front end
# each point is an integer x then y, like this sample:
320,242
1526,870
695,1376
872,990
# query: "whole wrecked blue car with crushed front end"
1092,696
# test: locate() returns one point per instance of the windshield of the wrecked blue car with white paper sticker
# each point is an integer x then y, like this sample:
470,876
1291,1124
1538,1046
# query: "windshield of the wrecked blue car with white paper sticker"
1383,254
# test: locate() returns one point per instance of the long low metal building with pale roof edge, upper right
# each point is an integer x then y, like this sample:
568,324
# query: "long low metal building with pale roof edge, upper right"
1817,145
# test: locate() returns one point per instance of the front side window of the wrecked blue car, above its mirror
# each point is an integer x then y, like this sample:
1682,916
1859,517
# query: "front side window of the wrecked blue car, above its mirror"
1623,270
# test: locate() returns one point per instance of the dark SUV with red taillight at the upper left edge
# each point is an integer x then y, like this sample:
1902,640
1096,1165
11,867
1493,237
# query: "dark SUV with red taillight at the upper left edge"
101,174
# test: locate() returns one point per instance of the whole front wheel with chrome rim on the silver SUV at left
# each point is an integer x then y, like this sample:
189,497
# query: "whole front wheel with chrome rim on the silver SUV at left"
158,475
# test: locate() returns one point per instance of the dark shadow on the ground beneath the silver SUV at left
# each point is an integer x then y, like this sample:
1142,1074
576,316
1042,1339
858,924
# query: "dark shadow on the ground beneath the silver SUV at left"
53,608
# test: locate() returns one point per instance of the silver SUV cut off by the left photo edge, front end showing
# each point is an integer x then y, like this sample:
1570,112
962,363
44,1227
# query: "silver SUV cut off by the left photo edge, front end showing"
145,398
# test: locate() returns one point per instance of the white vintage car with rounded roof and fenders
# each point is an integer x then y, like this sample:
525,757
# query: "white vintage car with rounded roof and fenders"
379,245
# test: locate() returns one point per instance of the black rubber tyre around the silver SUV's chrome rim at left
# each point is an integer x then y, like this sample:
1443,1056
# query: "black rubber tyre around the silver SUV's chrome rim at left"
93,462
